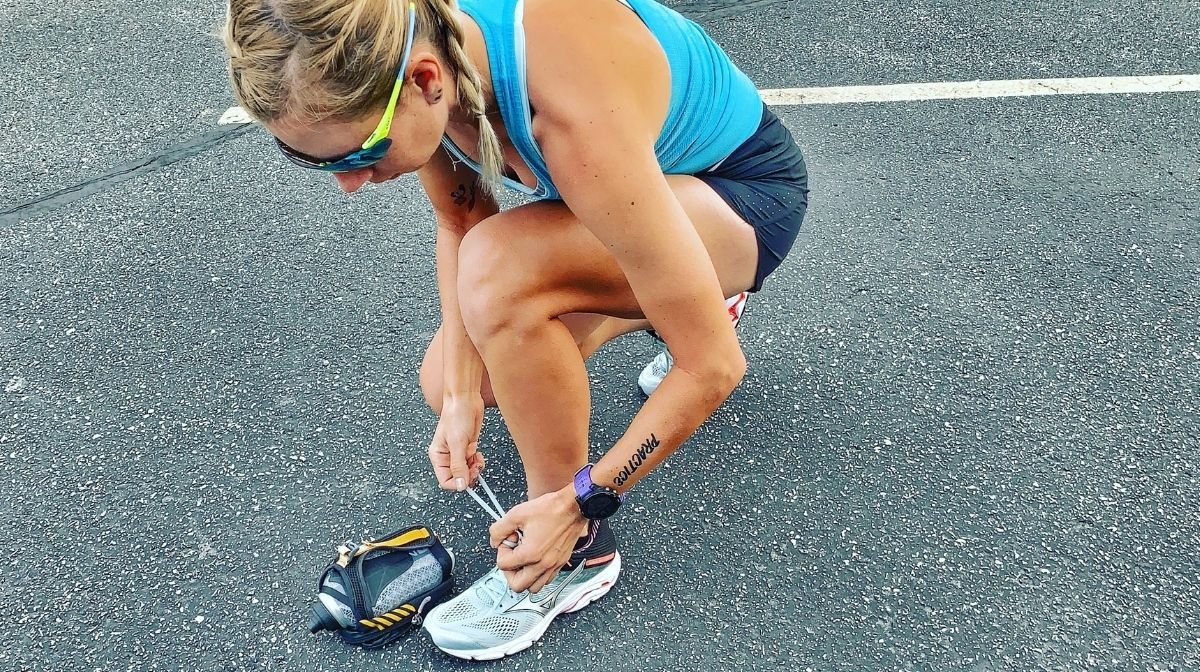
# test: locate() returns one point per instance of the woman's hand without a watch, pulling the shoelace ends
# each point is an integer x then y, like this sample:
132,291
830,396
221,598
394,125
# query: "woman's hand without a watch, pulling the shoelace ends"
454,451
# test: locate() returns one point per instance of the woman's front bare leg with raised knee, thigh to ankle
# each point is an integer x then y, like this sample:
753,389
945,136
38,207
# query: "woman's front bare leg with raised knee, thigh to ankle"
524,273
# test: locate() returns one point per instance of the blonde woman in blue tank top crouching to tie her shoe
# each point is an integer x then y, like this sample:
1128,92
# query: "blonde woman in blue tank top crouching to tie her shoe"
662,185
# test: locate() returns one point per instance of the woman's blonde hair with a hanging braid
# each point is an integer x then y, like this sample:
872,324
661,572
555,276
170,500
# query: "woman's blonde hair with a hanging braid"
317,61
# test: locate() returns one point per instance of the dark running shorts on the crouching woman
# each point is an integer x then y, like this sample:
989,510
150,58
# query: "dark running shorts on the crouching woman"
765,182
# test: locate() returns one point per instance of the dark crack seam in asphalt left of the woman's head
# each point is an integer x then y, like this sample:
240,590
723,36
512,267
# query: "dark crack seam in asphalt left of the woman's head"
122,173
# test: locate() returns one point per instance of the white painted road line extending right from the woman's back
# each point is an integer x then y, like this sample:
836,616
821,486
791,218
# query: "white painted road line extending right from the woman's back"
994,89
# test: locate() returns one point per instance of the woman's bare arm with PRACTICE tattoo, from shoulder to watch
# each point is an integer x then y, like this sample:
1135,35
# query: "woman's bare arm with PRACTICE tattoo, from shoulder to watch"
599,101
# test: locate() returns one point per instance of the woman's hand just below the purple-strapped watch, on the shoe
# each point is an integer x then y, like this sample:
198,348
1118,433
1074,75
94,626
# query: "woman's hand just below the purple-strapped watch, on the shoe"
550,527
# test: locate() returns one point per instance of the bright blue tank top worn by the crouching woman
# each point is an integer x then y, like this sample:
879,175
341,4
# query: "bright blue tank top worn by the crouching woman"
715,107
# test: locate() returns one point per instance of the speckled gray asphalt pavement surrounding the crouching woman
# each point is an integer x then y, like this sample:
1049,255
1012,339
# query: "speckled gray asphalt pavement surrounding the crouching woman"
968,440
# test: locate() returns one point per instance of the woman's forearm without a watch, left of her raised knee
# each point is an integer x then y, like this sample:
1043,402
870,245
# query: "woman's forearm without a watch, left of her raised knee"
463,370
